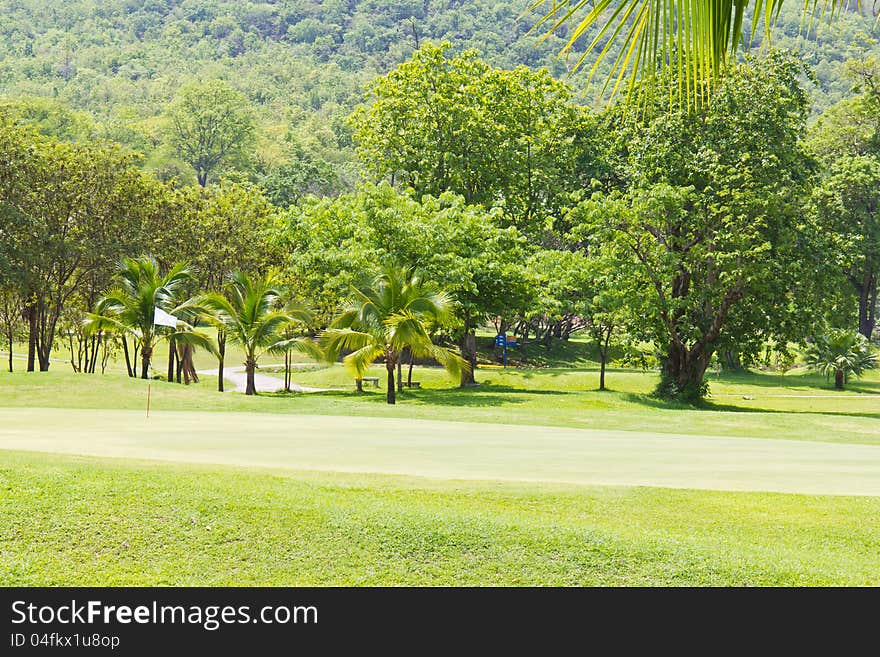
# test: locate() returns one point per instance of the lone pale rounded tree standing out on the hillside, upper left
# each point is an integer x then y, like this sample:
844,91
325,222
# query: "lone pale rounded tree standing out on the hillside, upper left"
210,125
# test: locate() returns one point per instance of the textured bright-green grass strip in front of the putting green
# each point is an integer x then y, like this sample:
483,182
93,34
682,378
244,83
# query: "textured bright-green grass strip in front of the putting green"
83,521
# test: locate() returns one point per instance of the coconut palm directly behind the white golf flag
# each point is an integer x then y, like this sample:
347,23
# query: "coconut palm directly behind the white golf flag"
129,310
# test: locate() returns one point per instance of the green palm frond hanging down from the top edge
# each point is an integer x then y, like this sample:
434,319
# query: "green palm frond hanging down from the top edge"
691,40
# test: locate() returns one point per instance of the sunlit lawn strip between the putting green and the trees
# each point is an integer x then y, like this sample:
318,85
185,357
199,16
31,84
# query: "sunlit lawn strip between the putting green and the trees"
804,409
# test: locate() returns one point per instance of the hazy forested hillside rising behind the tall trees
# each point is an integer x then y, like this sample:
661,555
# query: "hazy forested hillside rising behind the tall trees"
90,68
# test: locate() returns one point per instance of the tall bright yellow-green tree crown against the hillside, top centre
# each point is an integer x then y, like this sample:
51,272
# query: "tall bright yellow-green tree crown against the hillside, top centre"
442,123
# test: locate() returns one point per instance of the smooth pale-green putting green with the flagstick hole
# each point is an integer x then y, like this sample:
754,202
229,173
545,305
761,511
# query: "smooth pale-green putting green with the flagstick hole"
451,450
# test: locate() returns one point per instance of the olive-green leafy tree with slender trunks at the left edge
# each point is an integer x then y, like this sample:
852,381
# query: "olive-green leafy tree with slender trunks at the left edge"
73,211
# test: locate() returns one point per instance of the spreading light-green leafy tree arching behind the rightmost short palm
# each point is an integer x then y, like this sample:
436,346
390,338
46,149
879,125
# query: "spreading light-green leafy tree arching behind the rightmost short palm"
458,246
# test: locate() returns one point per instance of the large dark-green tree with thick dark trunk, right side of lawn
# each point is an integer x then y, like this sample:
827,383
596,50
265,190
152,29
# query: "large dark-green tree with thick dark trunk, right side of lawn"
711,223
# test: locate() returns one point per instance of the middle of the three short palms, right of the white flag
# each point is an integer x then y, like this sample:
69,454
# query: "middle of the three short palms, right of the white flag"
250,314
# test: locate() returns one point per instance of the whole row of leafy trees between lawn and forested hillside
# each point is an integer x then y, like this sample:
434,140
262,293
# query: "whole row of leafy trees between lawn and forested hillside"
708,233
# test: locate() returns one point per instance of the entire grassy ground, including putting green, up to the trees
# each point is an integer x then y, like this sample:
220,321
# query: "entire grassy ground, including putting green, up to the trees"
533,478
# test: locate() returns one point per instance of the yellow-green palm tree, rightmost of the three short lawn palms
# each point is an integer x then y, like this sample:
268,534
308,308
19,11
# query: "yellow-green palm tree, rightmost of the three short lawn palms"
393,314
